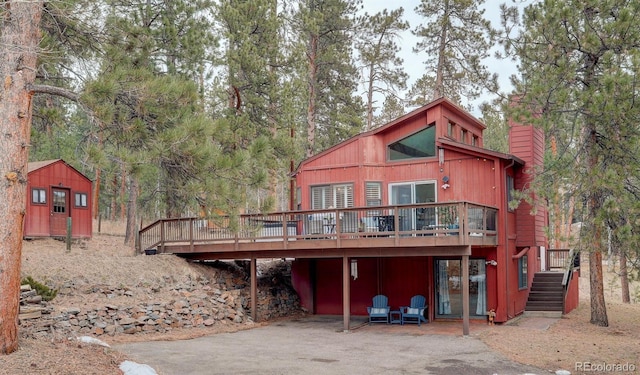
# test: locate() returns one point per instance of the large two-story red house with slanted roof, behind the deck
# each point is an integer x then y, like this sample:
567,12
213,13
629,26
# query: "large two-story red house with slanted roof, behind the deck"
432,154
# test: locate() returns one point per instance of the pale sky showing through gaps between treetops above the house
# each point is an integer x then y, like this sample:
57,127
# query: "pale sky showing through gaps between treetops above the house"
413,62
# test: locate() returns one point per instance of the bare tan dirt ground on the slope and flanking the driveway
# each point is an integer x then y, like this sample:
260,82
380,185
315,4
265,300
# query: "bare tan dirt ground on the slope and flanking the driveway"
572,341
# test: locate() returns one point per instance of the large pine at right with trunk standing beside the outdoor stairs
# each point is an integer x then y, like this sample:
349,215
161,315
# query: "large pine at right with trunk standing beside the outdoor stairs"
579,67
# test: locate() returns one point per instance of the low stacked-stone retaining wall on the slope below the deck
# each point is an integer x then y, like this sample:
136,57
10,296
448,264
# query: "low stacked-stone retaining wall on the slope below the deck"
200,303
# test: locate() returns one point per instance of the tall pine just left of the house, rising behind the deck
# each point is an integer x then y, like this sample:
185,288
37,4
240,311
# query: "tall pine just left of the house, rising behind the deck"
257,92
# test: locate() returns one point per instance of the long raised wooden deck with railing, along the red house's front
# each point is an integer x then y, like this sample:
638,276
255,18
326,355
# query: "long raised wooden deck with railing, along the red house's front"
431,229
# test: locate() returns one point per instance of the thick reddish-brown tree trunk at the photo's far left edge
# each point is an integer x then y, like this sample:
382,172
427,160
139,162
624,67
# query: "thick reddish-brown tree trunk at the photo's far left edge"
19,38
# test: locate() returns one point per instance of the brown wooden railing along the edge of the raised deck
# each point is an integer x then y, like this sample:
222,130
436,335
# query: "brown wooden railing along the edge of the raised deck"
428,219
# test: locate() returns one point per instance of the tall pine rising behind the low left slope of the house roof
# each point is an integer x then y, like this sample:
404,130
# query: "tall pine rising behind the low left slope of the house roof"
334,112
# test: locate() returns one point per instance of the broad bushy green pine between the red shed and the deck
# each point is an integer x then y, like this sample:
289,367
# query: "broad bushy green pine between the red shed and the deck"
147,94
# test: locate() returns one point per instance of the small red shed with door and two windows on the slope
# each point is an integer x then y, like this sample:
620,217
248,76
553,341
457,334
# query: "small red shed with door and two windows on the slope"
56,192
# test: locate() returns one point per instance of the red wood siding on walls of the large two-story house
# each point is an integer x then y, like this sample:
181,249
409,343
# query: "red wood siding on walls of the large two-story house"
475,175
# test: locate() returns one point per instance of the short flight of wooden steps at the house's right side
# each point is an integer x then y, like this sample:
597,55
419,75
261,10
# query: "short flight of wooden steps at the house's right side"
546,296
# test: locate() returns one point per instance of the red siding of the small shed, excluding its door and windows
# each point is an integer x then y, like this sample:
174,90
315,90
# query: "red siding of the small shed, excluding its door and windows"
57,174
